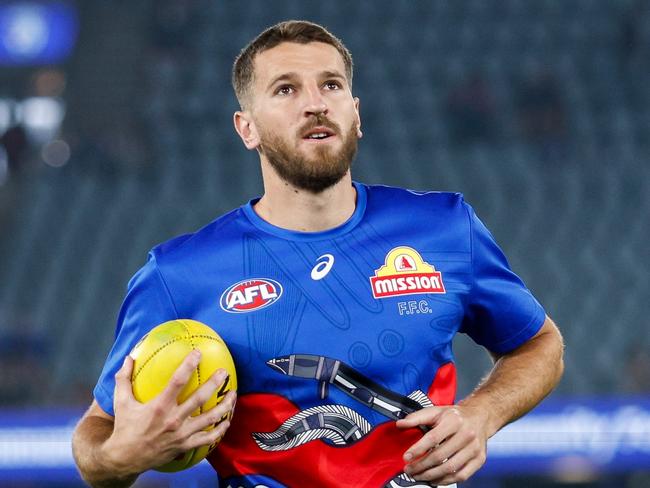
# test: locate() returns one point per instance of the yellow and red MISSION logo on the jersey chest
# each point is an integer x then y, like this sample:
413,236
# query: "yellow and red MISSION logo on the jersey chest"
405,273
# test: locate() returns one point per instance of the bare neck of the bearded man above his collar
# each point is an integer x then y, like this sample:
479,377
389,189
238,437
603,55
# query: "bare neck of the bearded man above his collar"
292,208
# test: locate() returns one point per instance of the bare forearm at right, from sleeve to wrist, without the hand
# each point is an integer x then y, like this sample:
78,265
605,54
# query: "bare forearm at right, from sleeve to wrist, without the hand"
520,379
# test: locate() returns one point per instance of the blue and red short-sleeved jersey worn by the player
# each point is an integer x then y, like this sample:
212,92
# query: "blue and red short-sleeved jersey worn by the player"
334,334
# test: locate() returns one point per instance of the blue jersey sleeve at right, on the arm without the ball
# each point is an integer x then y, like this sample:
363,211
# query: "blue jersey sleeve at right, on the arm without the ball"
501,313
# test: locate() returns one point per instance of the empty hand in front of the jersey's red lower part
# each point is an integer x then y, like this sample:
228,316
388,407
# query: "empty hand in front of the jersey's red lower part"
453,450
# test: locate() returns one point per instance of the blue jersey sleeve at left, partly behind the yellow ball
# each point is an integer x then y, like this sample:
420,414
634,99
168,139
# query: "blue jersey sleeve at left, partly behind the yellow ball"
147,304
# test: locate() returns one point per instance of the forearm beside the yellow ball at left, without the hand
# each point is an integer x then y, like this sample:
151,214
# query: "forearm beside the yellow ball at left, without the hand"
87,442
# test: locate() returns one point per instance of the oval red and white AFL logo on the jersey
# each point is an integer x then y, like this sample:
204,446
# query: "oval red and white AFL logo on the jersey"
250,295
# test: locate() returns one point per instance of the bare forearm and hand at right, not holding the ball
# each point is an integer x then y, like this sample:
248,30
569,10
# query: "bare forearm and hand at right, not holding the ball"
455,447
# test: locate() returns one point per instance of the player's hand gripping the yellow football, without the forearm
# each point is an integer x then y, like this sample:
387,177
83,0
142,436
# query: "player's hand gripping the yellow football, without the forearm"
147,435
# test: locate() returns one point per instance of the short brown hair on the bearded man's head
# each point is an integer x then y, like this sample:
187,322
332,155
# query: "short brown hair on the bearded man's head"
298,31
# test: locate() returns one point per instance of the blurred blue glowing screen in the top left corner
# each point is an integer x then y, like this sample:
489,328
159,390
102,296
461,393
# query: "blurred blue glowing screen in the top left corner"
36,33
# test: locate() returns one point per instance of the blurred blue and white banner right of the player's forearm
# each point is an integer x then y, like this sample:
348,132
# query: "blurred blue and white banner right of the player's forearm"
575,437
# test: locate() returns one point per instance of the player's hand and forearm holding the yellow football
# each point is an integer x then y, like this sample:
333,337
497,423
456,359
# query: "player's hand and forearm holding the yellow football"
113,452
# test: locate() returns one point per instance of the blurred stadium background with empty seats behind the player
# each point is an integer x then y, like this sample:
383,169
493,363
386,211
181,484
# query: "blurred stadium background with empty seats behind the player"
116,134
